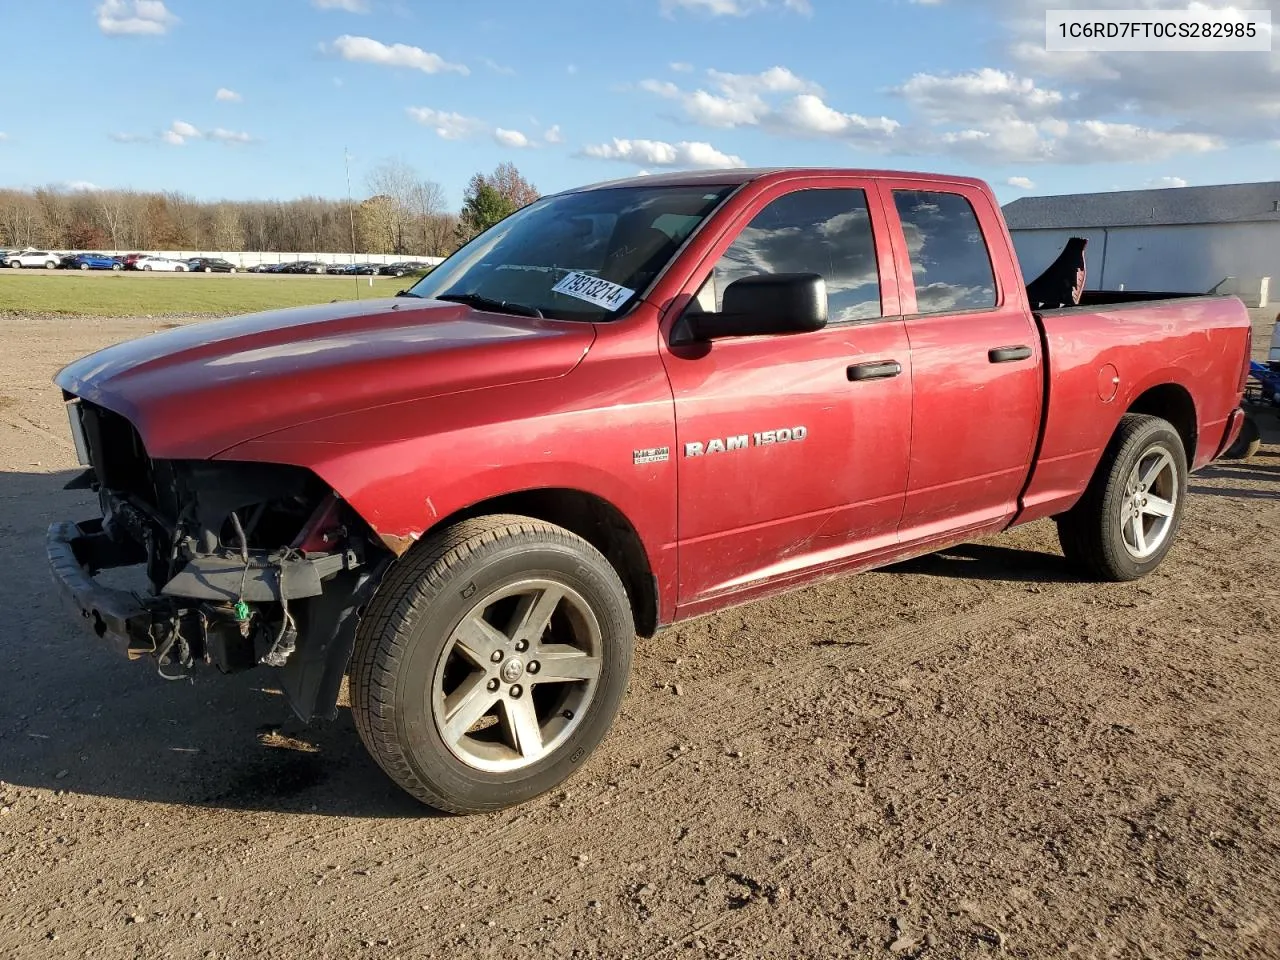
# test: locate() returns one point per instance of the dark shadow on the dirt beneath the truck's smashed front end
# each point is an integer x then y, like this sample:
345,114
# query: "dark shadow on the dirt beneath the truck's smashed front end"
77,719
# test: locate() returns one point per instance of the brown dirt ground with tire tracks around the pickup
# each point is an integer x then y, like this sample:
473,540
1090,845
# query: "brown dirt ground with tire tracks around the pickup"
970,756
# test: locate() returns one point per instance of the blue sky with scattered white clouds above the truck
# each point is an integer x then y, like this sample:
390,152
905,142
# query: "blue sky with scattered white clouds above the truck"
258,99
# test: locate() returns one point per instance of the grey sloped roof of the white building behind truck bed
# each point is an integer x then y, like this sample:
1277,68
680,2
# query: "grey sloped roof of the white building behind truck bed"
1228,203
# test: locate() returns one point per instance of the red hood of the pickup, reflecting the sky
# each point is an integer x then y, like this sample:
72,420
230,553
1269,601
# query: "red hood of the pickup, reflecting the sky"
196,391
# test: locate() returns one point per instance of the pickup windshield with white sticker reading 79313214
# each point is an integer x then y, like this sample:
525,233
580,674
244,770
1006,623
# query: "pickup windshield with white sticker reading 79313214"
574,257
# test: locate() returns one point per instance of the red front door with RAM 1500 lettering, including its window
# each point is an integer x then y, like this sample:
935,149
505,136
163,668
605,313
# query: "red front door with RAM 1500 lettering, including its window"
793,450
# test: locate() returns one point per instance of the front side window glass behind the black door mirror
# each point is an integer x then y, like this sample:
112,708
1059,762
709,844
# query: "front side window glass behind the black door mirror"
825,232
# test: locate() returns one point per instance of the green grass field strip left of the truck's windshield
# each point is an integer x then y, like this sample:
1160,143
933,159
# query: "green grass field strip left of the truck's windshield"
152,295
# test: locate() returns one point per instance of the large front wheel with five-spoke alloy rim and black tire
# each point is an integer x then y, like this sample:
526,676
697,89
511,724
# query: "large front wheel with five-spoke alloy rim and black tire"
420,643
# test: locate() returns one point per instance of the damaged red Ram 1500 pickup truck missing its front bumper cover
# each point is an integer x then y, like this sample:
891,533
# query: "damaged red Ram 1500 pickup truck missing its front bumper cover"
621,408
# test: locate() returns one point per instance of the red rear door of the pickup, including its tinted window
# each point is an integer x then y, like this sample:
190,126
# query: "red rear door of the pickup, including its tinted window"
977,385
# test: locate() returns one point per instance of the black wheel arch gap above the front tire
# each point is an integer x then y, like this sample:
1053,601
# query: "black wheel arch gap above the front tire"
596,520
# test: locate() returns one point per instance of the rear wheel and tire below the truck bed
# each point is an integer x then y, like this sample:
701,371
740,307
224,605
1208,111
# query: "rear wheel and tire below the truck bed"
1100,536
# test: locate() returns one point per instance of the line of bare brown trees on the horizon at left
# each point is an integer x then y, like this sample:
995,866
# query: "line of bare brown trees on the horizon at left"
403,214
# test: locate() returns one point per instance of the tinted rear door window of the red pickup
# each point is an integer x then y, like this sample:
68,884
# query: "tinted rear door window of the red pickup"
950,262
